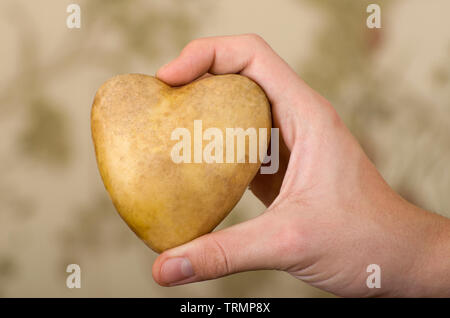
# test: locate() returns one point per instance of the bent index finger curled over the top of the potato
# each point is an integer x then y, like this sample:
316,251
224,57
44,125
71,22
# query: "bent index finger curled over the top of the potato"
248,55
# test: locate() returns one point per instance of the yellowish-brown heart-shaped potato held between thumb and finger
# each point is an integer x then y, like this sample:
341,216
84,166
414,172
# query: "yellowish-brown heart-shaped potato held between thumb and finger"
167,203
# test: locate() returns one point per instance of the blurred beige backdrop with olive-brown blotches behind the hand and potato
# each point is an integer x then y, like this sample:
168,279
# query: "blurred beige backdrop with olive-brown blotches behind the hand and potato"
392,87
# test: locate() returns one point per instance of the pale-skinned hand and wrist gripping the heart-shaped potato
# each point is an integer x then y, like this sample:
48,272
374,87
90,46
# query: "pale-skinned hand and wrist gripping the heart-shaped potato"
329,212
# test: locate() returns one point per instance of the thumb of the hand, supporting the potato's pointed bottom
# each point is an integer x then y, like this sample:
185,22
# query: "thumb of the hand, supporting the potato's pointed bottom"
246,246
